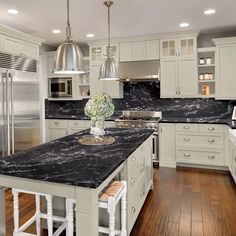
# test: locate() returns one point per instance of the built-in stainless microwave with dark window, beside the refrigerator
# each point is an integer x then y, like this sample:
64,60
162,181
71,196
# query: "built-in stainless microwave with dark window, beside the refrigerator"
60,87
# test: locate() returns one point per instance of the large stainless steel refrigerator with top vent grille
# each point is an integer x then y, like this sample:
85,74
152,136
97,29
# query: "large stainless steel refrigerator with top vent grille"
19,104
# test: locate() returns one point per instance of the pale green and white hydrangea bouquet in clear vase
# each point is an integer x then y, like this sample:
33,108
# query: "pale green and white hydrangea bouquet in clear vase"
97,108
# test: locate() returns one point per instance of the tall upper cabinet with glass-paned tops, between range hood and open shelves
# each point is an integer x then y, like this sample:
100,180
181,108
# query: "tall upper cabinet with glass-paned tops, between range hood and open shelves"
179,67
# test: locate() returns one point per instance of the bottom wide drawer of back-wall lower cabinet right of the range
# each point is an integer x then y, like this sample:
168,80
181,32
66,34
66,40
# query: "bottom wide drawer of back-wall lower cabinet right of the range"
200,157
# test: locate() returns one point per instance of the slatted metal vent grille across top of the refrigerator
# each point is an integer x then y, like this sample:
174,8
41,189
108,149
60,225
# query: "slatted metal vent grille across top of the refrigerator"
15,62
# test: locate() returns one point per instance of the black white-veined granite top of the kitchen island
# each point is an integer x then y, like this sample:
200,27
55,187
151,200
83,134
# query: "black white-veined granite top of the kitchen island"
66,161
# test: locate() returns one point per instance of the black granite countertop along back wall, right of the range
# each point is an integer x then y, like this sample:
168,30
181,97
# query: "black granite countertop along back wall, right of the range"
200,120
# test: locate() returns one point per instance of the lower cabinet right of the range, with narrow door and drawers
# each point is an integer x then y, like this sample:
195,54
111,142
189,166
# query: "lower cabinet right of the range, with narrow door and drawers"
193,144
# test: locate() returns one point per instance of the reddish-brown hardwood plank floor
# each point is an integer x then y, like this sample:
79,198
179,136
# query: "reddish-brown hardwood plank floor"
183,202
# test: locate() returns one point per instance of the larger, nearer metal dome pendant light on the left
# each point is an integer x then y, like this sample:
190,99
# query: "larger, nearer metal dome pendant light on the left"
68,58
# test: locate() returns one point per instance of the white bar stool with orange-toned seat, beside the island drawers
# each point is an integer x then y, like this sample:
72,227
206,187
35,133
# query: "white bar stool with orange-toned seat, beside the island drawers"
109,199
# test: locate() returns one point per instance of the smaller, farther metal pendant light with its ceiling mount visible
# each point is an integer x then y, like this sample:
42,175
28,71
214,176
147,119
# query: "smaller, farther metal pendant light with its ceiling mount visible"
108,69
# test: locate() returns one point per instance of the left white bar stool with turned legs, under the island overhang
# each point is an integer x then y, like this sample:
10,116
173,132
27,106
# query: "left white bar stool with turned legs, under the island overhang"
66,221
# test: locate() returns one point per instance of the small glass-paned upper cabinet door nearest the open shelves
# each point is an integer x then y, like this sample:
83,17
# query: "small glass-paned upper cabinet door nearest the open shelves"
187,48
